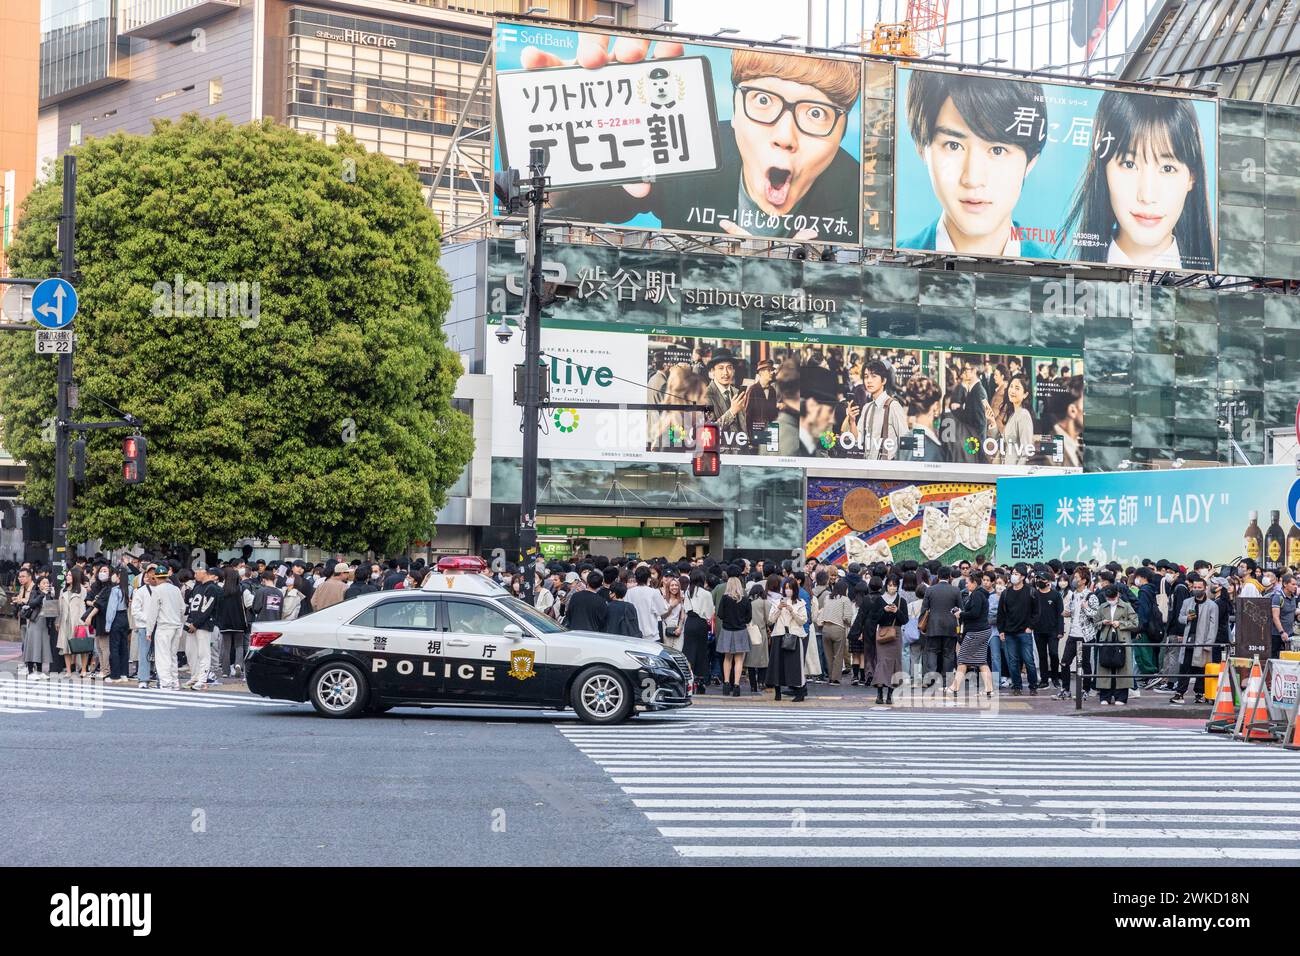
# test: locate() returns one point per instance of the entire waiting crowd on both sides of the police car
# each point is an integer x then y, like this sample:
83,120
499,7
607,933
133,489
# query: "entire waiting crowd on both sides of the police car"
746,626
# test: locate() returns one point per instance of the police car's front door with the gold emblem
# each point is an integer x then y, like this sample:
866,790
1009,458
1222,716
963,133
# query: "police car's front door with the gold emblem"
484,665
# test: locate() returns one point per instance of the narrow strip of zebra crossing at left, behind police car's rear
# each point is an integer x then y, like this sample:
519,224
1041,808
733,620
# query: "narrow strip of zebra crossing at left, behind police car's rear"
93,698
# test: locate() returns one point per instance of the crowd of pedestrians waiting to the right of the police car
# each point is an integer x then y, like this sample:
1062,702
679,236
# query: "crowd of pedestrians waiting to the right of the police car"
781,626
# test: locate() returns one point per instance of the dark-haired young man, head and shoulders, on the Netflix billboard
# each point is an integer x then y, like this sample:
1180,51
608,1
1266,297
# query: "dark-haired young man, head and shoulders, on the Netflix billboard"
980,139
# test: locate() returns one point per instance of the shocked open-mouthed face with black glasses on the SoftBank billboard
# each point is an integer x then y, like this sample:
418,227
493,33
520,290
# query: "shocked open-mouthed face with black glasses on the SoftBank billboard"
781,162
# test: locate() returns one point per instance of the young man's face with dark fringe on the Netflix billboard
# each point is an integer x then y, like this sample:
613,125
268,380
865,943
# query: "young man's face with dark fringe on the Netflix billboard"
976,181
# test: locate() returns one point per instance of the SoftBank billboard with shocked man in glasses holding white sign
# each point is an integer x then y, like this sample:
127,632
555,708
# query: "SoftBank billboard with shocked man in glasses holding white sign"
691,137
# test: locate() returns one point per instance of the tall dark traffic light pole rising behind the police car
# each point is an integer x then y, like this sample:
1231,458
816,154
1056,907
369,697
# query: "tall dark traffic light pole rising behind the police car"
532,380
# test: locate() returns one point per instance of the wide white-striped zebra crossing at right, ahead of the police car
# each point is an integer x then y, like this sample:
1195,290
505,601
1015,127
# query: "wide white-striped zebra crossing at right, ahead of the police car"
759,786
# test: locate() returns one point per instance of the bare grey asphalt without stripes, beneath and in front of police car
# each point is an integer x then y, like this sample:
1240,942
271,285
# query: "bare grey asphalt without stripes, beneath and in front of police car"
279,786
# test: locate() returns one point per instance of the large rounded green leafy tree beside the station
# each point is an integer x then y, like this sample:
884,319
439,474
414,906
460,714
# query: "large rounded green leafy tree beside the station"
326,418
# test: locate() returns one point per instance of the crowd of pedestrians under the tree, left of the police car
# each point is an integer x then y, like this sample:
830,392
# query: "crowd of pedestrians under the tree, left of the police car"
137,620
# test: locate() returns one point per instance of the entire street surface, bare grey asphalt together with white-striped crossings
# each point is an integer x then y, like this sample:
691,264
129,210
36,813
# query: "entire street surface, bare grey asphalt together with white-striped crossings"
161,778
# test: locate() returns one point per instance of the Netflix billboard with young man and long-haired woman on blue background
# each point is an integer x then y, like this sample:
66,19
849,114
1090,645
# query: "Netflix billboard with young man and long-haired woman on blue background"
1020,170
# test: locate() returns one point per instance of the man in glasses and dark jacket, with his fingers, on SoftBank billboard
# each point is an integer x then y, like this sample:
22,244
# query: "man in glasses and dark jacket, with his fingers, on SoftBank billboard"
783,172
